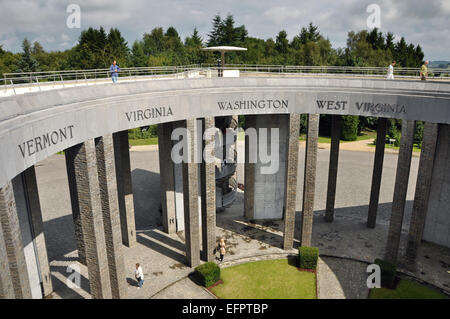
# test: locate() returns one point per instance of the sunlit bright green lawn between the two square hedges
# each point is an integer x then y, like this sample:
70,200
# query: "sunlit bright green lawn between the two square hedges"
268,279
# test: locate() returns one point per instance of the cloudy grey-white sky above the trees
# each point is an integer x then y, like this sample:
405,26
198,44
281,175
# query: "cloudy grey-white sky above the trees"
424,22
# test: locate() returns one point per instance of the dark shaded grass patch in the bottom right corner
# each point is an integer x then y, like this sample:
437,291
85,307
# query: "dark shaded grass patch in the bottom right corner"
406,289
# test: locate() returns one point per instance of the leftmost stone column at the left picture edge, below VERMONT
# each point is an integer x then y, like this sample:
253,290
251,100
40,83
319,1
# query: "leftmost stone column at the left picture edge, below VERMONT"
14,277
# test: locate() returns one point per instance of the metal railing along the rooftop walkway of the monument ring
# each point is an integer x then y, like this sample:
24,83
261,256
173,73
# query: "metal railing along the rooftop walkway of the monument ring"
13,81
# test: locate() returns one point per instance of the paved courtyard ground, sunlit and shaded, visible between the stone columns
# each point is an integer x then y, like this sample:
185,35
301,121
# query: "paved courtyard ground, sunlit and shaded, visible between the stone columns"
162,256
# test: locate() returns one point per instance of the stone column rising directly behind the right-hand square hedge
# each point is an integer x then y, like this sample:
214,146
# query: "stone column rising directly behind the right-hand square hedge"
309,179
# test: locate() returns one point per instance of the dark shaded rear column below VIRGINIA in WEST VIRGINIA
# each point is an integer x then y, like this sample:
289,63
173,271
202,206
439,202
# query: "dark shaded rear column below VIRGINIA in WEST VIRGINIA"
377,172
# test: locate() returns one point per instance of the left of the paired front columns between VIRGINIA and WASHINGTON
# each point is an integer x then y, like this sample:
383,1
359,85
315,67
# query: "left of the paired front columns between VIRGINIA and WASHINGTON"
190,199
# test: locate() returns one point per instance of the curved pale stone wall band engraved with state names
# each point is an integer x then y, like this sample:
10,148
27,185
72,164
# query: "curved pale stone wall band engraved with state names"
37,125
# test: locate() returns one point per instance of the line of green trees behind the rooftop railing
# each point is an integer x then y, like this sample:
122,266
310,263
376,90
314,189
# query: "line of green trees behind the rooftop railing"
96,48
